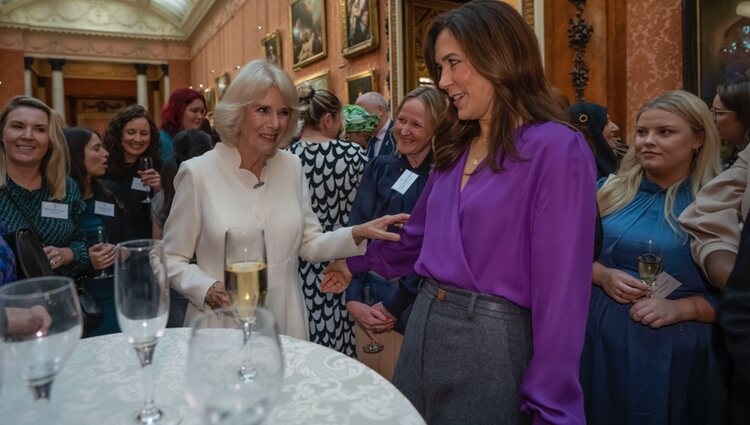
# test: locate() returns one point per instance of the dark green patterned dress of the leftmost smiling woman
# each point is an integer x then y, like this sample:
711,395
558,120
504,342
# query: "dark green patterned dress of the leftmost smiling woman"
20,207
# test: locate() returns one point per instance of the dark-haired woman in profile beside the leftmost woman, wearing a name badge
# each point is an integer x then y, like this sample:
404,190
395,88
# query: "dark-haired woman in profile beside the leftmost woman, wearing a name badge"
88,164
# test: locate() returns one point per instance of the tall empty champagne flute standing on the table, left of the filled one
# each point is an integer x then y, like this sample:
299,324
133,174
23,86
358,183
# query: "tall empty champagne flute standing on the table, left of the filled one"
142,304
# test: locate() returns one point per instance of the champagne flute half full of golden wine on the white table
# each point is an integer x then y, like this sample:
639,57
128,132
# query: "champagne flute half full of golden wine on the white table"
245,279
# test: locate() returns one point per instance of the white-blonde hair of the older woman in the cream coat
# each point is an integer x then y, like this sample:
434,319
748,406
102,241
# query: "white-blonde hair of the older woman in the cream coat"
249,86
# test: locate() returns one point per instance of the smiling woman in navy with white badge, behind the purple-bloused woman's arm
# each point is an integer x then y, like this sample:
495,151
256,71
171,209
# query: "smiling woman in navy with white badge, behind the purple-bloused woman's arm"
378,194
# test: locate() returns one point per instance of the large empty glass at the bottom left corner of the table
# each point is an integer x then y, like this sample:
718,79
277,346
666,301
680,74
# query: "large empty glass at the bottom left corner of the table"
40,325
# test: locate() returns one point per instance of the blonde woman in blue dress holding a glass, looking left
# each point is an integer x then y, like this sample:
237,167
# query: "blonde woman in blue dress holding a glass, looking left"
651,360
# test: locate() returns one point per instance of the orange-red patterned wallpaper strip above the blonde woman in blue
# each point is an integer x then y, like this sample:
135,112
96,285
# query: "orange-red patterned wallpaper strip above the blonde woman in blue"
654,46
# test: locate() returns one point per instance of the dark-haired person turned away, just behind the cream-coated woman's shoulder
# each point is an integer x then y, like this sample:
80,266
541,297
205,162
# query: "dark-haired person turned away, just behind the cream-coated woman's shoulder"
187,144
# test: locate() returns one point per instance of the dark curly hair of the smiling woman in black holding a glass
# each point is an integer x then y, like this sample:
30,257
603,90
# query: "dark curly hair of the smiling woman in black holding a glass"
113,138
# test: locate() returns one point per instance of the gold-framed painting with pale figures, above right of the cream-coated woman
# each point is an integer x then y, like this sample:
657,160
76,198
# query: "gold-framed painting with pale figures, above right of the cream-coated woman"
308,24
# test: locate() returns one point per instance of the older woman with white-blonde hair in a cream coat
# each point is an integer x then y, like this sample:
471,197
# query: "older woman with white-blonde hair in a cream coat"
247,180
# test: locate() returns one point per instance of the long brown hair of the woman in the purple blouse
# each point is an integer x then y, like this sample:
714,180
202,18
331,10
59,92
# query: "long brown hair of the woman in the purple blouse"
502,48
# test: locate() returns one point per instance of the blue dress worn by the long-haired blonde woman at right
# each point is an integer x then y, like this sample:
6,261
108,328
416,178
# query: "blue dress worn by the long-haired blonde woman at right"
630,373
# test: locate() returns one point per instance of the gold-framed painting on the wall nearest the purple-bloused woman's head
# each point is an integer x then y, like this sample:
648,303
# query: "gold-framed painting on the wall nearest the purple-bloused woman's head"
359,24
